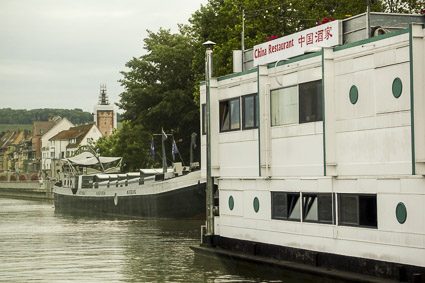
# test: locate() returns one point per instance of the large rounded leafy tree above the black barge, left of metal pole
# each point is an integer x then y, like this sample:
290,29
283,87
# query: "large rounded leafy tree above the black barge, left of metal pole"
159,89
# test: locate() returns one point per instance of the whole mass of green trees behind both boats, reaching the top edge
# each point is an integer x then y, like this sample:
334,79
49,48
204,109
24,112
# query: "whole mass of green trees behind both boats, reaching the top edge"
161,87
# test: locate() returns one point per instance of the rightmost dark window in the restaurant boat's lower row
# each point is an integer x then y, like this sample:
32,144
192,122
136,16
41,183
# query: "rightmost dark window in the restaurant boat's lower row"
357,210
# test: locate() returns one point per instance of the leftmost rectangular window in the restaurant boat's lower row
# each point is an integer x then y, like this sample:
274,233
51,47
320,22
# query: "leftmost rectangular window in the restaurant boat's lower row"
286,206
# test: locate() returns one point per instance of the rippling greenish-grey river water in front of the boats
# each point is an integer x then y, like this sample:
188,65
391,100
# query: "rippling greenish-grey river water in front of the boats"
39,244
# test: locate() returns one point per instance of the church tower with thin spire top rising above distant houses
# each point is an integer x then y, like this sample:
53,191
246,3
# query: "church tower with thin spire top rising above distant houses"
105,114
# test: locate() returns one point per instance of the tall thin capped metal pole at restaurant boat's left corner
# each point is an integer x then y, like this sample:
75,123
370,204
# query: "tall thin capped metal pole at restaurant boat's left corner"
210,185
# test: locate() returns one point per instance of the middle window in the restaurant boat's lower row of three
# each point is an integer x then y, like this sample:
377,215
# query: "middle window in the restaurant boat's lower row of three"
318,208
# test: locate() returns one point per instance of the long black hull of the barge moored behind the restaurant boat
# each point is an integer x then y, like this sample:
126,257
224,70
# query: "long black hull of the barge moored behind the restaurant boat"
182,203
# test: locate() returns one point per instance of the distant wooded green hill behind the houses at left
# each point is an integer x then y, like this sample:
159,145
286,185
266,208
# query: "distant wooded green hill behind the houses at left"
23,116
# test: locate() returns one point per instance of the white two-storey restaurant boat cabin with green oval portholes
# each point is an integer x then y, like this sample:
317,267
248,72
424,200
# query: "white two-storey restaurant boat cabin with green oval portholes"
319,153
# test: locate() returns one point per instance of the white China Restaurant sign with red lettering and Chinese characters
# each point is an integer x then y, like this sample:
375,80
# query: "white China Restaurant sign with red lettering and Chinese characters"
326,35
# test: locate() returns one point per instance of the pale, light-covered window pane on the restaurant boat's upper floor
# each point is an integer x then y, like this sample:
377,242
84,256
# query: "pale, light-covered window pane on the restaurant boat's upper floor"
284,106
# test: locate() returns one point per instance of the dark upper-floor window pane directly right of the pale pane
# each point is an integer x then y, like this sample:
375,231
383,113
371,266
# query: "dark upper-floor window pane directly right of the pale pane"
310,102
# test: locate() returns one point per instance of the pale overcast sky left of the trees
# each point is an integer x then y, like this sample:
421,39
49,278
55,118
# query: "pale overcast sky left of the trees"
56,53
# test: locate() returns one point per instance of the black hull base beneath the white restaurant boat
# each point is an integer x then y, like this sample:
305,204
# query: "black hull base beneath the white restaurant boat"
347,268
